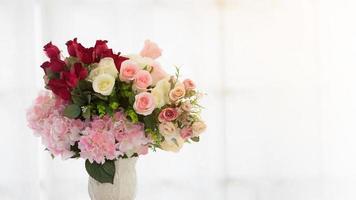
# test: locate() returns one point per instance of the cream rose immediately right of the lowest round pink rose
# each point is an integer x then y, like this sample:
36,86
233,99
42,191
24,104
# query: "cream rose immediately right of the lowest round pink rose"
160,92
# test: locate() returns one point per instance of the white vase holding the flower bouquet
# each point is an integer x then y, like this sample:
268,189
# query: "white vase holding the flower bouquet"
124,187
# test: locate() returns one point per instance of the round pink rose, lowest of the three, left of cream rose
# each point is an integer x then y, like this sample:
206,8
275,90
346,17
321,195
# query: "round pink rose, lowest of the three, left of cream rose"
144,103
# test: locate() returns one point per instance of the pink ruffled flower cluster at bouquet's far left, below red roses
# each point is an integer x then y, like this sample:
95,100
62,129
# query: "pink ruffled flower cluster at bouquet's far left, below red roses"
58,133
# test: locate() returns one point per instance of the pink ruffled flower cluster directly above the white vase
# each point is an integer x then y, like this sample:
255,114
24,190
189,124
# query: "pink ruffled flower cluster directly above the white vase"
108,138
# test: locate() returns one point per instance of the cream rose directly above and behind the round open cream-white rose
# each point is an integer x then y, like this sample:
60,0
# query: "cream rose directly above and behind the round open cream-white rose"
105,66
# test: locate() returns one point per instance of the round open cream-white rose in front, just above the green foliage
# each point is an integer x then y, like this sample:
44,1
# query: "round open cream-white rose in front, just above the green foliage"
104,84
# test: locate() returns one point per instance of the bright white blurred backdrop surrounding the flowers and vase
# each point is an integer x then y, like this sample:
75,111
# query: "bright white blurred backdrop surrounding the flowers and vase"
281,103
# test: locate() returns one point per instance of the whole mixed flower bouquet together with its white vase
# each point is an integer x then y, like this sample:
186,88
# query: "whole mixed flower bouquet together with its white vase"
109,109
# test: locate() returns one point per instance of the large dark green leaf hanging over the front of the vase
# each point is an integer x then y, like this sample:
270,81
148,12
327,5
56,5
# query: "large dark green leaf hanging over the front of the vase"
103,173
